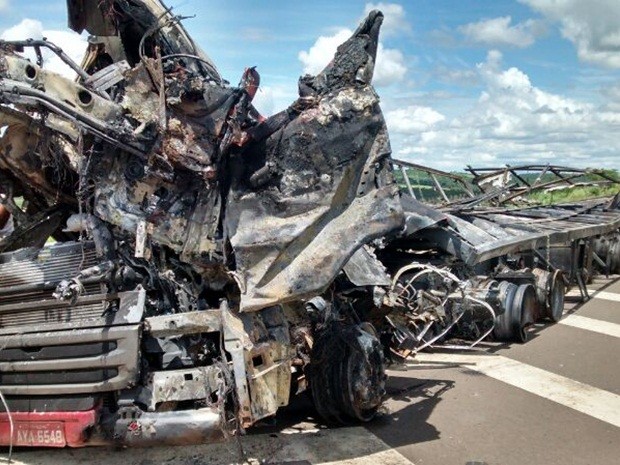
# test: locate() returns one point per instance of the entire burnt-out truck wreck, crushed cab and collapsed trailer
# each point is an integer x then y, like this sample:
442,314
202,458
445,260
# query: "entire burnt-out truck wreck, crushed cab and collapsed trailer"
207,263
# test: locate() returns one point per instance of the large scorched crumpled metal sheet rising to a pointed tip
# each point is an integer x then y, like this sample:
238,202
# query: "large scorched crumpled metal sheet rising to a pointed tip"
330,190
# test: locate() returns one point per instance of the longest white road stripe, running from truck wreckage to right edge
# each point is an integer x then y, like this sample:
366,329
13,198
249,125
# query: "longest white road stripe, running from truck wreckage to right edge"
597,403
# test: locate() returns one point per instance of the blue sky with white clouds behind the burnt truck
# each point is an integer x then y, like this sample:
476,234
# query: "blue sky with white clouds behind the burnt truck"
485,82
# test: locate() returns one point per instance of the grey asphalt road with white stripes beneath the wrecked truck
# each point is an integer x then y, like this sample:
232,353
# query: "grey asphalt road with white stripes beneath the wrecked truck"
554,400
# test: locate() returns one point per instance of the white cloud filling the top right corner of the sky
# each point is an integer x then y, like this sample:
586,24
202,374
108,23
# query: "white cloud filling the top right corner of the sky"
593,26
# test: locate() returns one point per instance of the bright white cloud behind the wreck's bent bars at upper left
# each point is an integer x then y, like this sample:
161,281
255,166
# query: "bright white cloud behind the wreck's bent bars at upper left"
71,43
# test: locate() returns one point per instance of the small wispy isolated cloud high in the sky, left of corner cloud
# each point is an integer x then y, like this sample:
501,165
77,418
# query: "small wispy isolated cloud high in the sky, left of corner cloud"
500,31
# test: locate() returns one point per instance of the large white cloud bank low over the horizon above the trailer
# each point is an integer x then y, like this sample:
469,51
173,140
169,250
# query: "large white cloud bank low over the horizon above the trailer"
512,121
